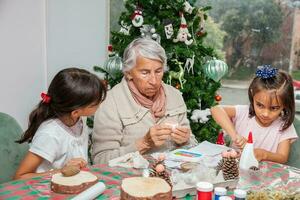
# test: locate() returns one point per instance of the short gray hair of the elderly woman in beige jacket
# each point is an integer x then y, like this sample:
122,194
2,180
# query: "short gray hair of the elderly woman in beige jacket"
147,48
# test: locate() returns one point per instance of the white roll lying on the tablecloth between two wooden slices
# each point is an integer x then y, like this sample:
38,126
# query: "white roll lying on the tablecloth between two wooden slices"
91,193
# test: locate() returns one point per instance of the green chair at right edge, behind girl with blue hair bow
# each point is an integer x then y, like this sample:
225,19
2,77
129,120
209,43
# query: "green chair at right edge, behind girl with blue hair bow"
294,158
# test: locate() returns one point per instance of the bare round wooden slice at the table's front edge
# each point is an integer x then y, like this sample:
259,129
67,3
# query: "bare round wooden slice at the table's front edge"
145,188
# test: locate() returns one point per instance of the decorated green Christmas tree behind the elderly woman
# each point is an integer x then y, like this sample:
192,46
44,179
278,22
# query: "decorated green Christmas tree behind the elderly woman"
179,28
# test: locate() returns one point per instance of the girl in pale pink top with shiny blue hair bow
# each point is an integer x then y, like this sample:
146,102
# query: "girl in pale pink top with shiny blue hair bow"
269,117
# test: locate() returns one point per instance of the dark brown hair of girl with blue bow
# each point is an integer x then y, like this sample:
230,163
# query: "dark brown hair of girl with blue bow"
282,84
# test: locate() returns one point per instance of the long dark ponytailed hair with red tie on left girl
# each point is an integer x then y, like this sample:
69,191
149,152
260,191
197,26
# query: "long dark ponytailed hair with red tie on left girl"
70,89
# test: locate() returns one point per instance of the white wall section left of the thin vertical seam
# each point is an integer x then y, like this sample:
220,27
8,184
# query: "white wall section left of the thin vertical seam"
22,56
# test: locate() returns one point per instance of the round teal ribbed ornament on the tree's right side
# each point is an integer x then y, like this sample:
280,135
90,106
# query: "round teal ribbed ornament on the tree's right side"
215,69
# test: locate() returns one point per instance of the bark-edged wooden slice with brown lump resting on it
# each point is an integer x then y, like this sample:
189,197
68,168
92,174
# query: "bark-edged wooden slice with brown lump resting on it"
72,184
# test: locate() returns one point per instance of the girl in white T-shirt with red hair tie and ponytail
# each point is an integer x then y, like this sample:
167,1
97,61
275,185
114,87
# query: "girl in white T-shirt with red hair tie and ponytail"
57,131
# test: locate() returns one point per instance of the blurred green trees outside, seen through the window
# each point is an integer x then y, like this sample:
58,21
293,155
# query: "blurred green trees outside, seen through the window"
251,27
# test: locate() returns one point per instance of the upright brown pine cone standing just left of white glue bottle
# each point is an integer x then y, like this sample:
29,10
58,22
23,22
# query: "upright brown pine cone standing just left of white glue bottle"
230,168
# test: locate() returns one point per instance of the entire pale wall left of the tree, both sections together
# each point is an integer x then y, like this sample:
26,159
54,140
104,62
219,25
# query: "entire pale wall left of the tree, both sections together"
38,38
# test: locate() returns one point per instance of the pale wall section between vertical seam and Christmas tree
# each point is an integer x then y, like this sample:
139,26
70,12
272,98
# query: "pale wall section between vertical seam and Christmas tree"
77,33
